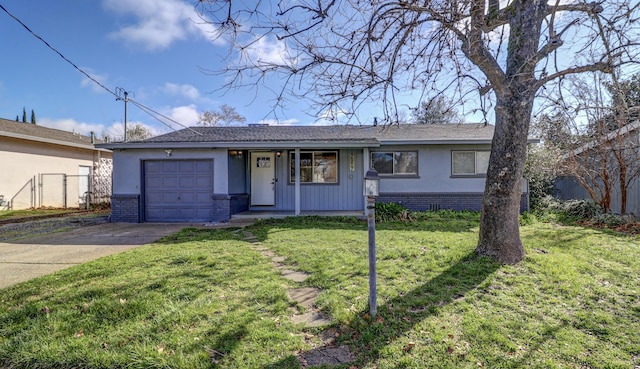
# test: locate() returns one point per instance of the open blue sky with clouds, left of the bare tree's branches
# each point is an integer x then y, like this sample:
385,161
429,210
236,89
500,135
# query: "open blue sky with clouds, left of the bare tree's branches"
153,48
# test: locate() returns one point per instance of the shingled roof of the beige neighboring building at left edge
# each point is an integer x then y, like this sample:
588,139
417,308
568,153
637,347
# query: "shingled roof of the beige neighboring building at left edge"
33,132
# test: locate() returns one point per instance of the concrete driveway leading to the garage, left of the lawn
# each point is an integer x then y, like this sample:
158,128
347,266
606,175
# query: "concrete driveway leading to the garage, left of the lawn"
21,260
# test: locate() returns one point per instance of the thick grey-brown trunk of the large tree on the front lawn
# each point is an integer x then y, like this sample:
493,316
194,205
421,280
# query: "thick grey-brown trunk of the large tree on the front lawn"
499,220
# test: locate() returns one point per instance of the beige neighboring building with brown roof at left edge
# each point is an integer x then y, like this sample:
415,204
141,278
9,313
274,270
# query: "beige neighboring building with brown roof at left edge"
44,167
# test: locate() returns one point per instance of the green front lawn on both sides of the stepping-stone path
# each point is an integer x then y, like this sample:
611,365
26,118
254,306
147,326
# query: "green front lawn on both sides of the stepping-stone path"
205,298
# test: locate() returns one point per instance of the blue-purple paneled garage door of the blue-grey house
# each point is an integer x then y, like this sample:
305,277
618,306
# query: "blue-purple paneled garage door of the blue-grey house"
178,190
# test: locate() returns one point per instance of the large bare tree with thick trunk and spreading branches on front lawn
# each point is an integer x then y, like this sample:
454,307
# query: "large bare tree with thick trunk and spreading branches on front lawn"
499,54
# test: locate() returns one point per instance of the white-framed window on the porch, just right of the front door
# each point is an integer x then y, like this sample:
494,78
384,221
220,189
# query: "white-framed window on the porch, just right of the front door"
315,167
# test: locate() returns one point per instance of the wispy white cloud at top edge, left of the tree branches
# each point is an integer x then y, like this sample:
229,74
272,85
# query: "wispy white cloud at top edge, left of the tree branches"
159,23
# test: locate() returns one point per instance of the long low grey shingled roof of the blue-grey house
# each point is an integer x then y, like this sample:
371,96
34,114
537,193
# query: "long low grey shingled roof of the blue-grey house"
348,135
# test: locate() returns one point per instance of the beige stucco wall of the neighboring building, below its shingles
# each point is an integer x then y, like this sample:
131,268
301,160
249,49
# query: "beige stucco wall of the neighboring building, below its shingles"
23,160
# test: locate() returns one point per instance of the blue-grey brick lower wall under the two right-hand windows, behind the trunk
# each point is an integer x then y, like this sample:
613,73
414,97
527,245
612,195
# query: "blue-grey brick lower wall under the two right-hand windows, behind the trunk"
436,201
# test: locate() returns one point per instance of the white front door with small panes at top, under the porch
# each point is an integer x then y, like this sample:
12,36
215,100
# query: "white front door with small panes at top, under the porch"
263,170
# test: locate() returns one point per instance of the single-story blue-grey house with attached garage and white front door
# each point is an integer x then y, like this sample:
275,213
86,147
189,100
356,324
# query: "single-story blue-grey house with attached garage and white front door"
212,173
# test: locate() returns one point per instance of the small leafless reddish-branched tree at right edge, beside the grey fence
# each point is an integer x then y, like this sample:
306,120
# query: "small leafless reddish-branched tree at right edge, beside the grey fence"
603,154
